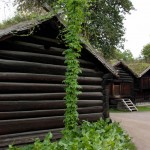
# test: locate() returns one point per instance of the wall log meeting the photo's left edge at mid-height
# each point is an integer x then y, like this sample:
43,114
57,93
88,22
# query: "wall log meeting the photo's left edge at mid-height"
45,78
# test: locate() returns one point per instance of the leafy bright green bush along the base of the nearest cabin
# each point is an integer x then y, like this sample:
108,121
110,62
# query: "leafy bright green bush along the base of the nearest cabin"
100,135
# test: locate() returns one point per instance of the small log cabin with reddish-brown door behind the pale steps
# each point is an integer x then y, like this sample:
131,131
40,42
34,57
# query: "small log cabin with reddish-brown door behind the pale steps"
125,86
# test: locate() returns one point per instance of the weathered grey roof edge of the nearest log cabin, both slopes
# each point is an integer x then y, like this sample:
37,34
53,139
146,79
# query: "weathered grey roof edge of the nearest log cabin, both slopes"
28,25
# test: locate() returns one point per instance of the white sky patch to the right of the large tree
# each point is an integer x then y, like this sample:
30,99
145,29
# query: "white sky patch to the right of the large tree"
138,27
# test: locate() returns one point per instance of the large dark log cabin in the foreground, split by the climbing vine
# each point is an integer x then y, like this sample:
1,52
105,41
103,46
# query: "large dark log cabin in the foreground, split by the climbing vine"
31,89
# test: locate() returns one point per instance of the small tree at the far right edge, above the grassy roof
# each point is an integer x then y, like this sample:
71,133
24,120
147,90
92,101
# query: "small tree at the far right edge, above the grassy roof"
146,52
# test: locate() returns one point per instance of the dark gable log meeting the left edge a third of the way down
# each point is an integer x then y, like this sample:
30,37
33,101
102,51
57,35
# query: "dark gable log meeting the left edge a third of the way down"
41,58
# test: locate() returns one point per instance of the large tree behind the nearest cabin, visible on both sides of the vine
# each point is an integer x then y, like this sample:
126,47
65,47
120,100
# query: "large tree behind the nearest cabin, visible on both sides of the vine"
103,28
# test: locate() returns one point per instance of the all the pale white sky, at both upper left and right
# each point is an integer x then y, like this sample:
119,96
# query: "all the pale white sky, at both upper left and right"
137,24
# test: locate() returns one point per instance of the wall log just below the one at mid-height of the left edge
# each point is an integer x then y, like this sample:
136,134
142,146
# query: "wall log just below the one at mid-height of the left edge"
7,87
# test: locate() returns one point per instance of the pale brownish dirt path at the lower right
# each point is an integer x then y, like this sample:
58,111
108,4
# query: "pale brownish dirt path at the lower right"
137,124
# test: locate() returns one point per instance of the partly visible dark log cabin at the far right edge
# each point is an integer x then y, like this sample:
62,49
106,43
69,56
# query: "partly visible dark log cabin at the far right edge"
144,86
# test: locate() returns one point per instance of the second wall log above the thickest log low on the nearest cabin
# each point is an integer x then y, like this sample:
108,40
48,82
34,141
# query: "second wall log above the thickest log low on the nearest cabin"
43,105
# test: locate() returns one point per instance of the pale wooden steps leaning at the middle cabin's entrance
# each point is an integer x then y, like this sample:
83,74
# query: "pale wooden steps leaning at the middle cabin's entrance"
129,104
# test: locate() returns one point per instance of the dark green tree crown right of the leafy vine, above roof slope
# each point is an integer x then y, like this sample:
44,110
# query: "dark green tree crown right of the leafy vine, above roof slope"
106,26
